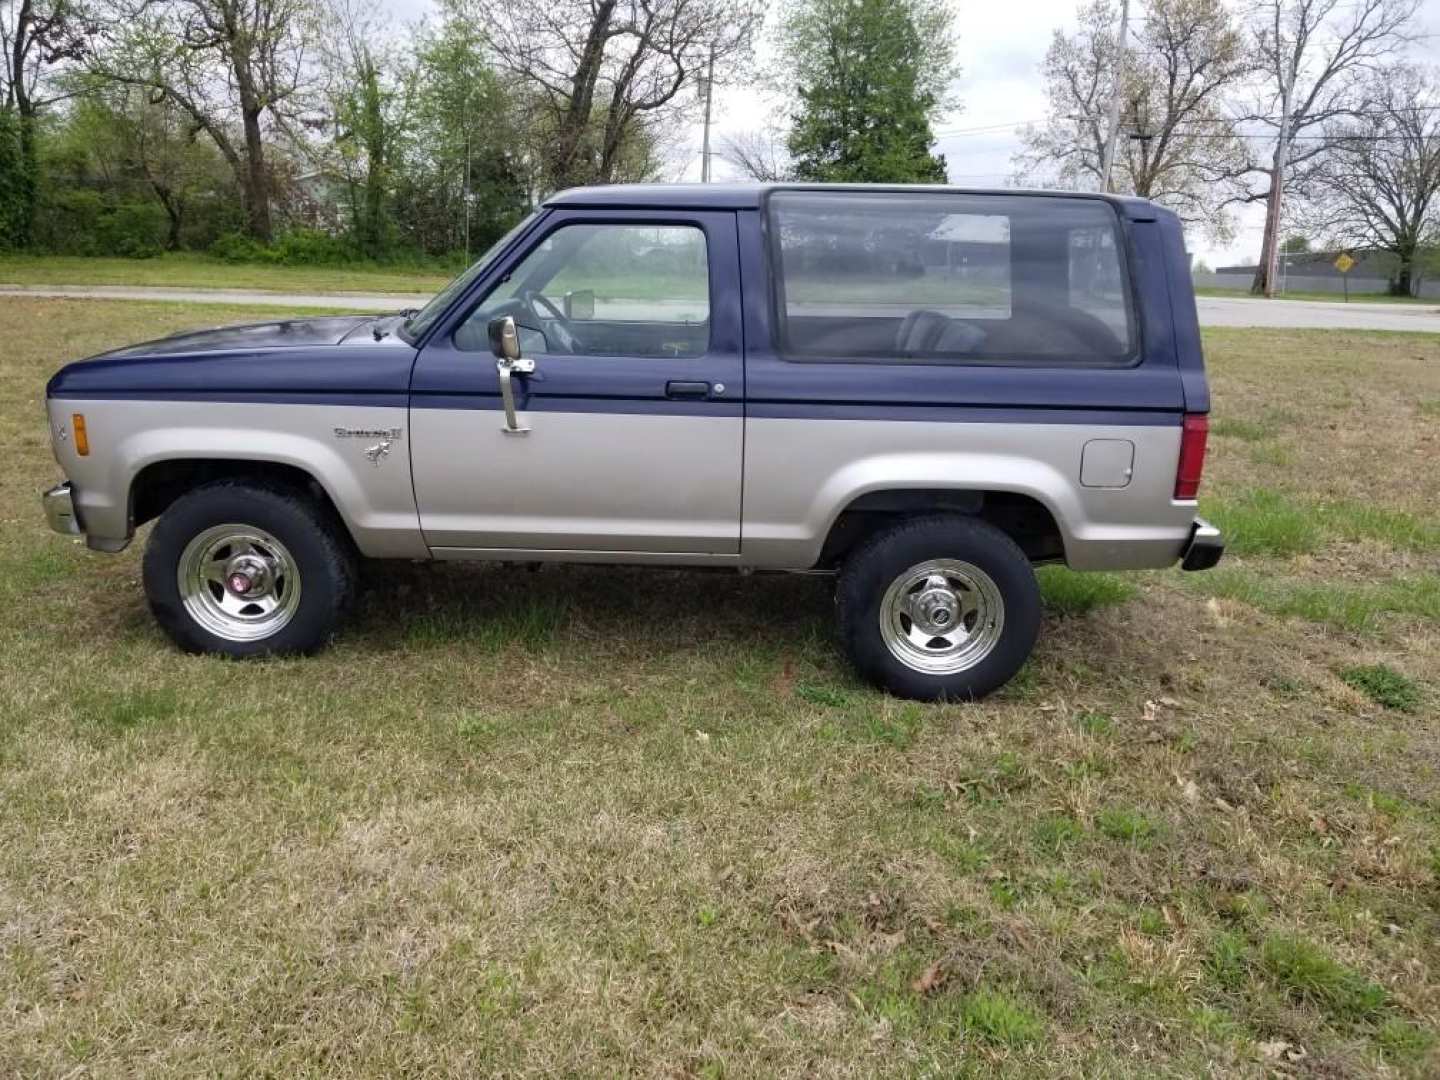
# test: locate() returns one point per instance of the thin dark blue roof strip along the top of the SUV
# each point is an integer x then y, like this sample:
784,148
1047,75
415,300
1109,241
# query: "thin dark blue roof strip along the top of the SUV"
748,197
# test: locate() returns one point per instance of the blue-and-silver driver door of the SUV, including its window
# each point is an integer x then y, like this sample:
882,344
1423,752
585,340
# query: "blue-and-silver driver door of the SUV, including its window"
633,420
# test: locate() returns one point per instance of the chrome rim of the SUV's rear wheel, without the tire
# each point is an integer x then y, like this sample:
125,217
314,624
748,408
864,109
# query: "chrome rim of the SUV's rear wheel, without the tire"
941,617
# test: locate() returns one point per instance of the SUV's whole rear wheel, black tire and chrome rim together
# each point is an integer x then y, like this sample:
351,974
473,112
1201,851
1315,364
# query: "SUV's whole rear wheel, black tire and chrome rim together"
940,607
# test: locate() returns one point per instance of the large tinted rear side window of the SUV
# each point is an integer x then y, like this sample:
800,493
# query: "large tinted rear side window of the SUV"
951,279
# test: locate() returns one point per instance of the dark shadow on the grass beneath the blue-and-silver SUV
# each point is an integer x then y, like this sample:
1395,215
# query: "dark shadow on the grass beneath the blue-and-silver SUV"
643,616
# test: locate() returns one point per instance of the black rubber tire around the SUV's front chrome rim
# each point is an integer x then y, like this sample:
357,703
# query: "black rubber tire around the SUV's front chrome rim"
316,542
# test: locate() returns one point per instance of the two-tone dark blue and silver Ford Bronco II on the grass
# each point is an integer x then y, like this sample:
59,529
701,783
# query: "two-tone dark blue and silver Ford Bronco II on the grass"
922,391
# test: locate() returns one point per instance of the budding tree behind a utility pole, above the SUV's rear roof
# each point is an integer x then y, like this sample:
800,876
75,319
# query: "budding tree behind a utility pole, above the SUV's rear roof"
1176,142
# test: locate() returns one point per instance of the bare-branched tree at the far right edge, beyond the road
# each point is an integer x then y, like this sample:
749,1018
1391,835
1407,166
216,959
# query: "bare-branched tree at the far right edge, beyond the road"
1377,185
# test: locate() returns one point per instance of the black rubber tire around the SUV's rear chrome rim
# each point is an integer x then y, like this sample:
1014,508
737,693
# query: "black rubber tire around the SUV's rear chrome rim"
886,557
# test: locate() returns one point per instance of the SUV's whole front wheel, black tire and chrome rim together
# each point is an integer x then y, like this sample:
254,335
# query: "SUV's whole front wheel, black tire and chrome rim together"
244,570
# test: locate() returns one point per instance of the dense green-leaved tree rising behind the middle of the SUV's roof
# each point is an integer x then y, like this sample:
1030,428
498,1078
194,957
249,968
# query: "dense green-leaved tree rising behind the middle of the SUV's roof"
869,77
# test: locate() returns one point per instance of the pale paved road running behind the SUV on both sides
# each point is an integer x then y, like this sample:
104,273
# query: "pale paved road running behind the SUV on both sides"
1215,312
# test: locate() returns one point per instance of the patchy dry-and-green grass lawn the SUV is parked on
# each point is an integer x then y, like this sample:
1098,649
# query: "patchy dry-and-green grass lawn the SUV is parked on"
558,824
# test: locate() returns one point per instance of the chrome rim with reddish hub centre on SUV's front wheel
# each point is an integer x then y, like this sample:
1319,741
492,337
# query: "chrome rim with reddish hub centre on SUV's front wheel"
238,582
